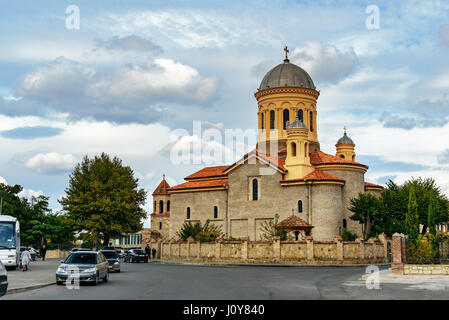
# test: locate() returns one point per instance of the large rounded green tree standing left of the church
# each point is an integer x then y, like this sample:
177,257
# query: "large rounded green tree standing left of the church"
103,199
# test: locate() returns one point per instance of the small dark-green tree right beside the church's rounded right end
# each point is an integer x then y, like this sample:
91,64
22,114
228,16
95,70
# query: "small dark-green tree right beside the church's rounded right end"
367,210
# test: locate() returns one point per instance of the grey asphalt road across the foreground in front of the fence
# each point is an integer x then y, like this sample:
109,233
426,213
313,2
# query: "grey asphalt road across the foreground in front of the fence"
173,282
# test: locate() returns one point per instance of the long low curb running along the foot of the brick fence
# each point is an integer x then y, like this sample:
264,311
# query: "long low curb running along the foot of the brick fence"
268,265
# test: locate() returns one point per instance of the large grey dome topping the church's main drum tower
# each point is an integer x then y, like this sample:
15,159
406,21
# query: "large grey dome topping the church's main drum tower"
287,75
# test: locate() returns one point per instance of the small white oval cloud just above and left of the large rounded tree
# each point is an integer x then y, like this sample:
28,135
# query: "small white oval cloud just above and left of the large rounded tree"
51,162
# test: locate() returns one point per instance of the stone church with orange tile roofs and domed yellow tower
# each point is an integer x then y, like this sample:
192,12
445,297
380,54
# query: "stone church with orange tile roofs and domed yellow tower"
286,174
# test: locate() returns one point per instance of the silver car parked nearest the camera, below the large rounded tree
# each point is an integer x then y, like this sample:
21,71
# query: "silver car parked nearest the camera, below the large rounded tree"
90,266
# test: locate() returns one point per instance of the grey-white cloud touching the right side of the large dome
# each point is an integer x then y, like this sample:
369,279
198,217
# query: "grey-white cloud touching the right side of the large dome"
325,63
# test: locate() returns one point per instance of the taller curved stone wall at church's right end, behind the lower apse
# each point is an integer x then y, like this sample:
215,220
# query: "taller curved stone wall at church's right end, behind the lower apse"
354,184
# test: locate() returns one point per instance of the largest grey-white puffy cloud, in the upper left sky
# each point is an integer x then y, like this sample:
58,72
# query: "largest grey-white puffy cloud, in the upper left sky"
125,94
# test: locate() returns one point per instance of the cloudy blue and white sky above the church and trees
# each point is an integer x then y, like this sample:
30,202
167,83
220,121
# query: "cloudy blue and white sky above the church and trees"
132,79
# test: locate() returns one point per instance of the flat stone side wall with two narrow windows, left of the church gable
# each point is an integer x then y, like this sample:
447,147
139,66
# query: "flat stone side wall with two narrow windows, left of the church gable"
201,208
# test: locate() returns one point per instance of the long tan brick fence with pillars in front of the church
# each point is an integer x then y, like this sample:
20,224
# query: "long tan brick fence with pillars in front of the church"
276,251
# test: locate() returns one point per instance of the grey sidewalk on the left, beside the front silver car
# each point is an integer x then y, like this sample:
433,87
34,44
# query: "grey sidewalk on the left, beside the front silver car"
40,274
